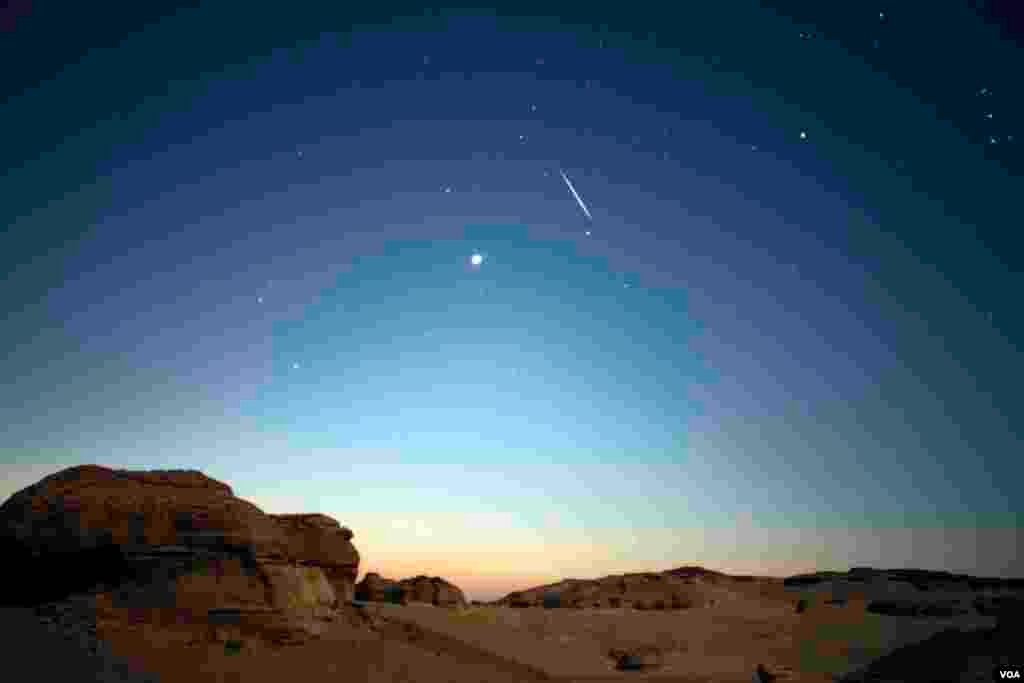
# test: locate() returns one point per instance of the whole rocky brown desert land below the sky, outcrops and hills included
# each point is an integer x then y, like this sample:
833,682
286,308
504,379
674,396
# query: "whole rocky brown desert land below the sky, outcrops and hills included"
165,576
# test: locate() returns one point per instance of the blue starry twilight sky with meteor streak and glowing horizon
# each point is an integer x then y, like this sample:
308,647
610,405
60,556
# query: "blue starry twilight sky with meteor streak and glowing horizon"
521,298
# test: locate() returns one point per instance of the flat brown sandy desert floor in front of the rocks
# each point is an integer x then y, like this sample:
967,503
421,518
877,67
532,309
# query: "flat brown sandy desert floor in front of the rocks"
722,644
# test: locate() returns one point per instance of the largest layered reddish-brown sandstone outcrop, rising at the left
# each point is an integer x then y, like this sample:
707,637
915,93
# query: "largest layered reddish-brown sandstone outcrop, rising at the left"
174,540
